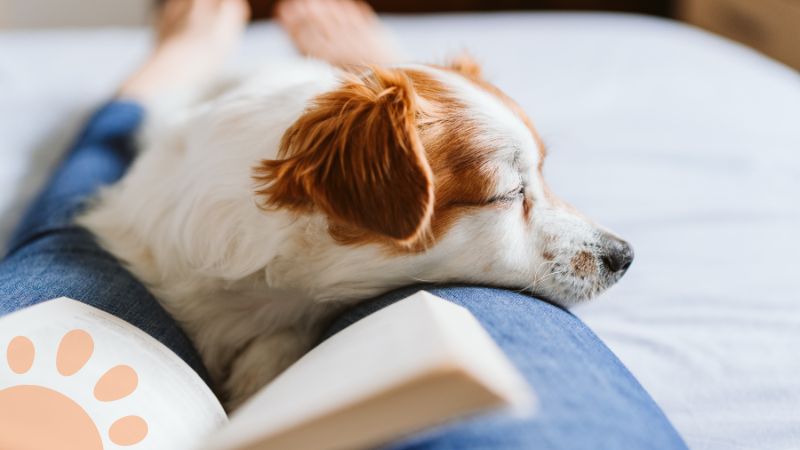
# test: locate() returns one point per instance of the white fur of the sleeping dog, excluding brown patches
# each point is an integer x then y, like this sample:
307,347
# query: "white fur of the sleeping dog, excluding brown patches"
251,287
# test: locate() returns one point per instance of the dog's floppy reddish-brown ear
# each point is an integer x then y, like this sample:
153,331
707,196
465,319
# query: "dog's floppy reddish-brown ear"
356,156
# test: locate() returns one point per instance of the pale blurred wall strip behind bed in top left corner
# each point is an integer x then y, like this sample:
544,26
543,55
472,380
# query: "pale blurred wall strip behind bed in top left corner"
73,13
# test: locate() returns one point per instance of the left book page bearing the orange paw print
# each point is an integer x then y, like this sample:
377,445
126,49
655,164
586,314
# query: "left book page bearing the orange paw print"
72,376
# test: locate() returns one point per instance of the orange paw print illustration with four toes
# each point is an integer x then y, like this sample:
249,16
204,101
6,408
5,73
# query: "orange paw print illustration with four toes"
35,417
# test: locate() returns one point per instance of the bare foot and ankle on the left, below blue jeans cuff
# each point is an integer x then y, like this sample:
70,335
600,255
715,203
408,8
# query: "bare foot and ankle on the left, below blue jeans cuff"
194,37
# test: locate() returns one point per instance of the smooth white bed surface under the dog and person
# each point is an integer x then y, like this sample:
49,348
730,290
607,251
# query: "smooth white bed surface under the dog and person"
684,143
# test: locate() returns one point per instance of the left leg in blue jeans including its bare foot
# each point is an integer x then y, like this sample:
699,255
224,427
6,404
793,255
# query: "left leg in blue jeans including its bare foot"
49,256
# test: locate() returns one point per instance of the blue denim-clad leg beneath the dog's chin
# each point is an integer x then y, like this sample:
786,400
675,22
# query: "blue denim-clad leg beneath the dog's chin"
587,398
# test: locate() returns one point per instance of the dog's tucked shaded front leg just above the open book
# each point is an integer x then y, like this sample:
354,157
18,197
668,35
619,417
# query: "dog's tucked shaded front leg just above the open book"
261,361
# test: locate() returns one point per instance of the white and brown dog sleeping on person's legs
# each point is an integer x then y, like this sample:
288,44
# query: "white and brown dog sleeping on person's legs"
293,193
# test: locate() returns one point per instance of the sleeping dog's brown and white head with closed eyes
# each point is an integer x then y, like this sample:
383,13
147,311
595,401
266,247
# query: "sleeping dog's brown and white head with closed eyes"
435,164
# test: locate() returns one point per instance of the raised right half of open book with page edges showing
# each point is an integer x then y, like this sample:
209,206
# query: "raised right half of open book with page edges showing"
414,364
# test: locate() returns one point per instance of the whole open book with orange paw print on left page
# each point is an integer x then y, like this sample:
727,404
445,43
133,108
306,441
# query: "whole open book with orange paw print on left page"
72,376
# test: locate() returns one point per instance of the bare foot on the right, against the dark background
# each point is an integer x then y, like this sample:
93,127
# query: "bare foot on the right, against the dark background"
342,32
